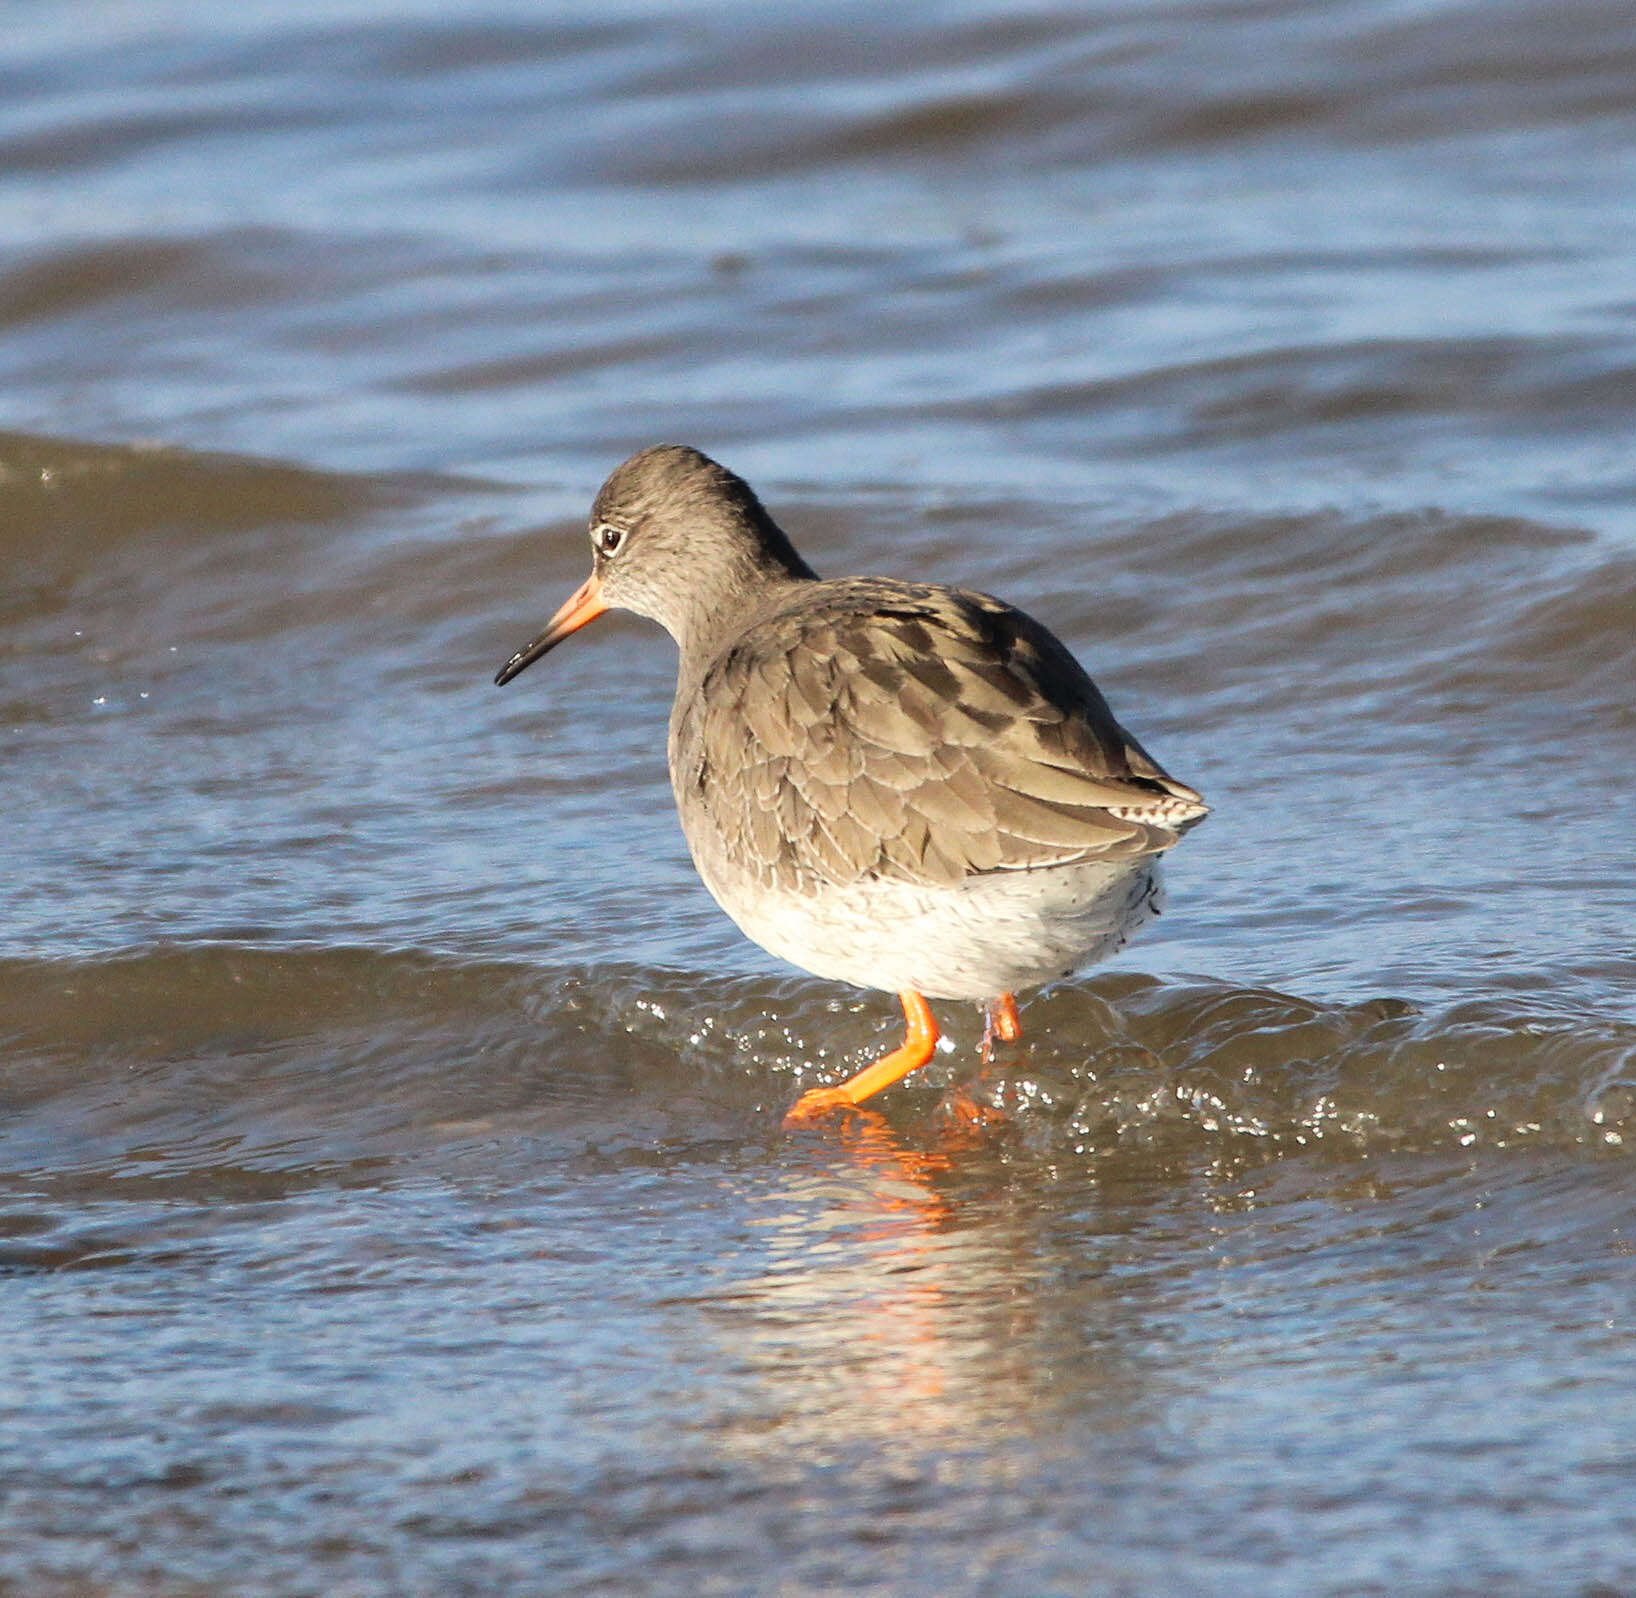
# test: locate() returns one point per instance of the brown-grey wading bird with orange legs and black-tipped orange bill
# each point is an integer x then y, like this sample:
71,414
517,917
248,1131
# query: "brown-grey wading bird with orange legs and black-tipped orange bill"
891,784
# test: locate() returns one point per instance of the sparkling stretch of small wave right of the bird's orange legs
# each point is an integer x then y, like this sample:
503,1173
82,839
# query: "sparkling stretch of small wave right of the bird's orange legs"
1169,1064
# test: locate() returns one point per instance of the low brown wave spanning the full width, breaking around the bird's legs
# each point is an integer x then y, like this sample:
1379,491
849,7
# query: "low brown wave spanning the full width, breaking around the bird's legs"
305,1059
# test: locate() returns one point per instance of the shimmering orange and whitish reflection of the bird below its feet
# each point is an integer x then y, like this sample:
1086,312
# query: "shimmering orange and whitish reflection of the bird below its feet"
910,1321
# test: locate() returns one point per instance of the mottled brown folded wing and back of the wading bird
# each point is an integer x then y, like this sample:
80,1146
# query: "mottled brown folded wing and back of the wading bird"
889,730
